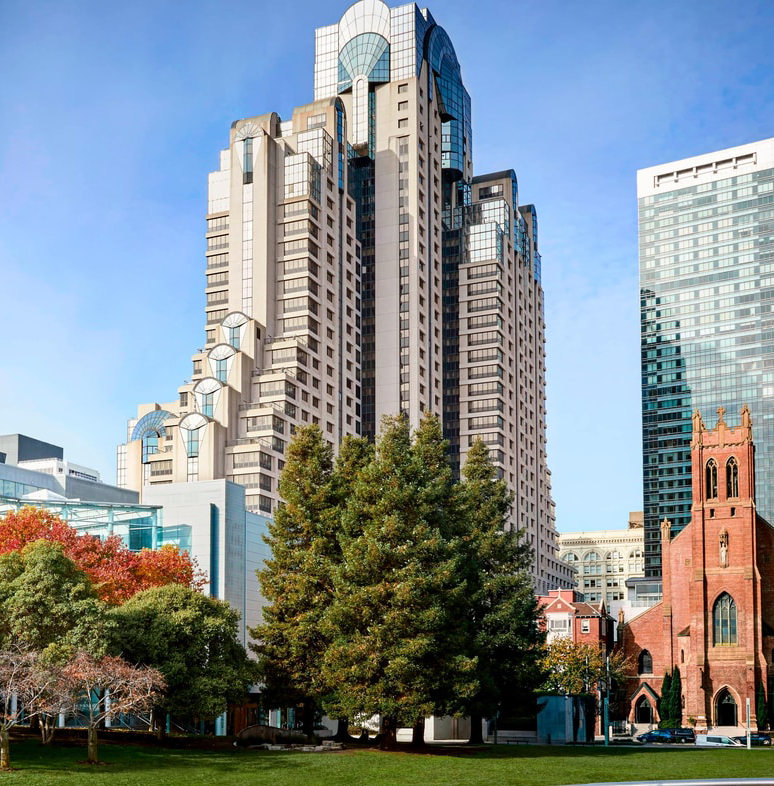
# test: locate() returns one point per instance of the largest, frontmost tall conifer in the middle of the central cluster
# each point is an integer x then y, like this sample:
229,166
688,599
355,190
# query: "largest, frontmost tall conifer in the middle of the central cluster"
397,648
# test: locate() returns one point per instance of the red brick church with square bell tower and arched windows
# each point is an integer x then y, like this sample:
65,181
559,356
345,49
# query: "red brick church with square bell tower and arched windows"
716,620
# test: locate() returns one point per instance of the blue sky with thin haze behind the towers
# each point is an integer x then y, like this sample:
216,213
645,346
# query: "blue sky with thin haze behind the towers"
113,114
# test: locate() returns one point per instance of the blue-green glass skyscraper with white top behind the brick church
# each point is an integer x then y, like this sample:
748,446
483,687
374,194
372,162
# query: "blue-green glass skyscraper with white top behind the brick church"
706,232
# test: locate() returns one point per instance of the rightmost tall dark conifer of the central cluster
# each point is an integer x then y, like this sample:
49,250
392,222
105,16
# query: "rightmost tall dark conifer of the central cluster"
503,635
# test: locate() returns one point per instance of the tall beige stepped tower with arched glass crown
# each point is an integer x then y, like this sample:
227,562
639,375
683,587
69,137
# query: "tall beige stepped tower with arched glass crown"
356,267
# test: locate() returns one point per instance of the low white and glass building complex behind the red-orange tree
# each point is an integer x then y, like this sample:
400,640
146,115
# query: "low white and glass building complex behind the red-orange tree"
208,519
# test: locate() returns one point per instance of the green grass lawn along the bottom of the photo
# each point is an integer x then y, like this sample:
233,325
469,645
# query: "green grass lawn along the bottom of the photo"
492,766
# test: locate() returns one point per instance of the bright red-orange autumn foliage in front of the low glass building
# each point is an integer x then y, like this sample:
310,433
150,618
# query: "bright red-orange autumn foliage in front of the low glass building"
116,572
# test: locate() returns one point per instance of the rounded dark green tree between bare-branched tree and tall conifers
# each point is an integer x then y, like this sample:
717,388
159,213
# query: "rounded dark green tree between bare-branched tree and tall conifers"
192,640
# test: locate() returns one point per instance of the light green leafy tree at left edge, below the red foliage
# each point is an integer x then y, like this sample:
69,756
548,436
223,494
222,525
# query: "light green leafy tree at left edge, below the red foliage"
49,603
